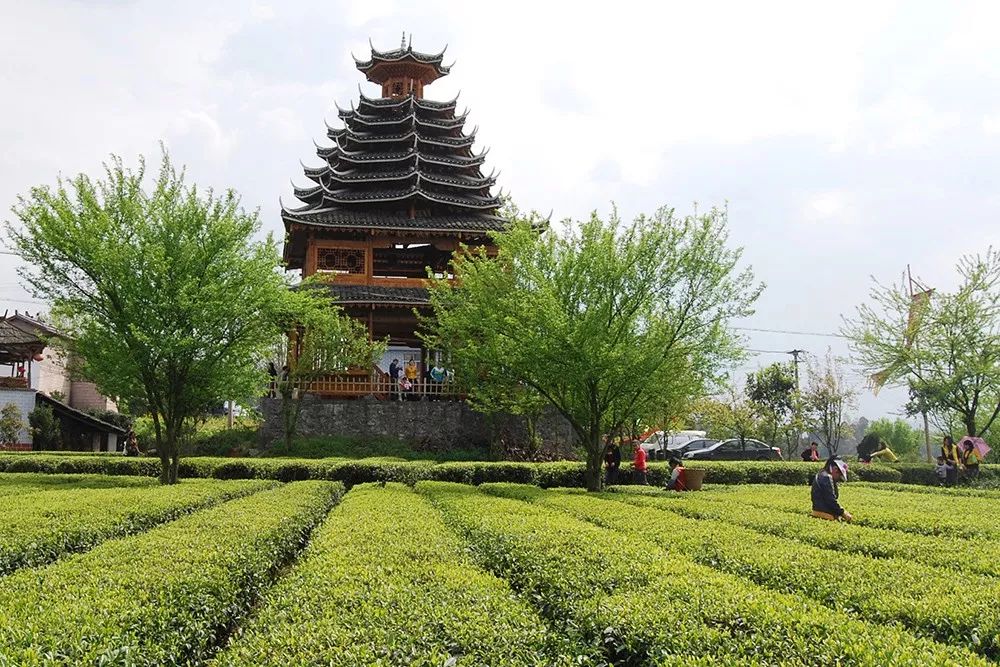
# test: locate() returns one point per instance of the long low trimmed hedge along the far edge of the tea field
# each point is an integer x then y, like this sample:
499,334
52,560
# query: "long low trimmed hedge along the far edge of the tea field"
561,473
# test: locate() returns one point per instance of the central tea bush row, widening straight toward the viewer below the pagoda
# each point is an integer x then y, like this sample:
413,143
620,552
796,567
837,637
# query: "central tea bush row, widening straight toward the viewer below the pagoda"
385,582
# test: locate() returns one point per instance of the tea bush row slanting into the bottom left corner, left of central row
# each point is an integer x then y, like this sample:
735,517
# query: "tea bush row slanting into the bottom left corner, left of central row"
163,597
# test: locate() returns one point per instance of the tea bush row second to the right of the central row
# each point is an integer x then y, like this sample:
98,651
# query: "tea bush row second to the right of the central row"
886,591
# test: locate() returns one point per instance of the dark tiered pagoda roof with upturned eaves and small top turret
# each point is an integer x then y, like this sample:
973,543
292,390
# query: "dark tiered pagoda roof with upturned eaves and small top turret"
399,163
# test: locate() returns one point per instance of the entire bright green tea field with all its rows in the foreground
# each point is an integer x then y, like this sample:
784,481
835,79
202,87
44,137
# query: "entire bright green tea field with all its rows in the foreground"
214,572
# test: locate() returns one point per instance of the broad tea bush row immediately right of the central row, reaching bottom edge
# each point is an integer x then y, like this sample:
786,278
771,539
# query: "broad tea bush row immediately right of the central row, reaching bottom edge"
646,605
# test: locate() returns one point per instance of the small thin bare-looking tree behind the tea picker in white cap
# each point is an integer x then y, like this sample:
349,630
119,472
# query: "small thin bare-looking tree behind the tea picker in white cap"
827,400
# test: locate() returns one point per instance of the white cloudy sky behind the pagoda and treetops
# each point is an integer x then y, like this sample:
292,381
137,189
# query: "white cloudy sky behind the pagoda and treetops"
849,138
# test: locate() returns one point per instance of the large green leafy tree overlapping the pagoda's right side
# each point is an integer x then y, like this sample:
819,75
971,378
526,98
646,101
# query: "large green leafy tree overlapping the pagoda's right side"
610,323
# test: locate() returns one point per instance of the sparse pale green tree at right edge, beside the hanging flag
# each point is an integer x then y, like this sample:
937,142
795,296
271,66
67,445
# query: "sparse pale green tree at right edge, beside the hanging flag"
944,347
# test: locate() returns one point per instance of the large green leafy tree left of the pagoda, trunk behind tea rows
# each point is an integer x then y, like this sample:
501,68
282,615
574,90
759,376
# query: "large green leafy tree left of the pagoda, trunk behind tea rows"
165,293
